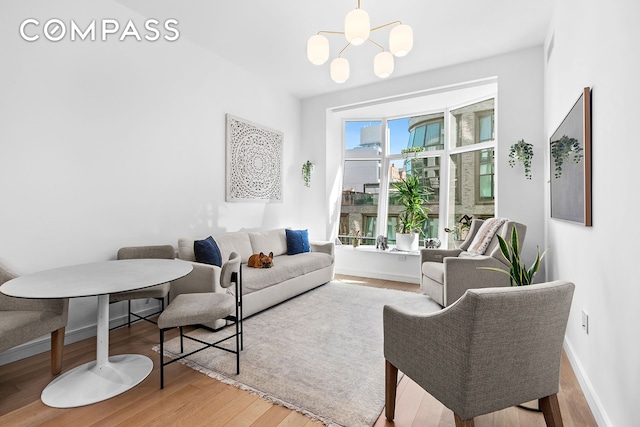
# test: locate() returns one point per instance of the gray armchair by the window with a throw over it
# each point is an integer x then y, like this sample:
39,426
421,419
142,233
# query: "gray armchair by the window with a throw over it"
447,273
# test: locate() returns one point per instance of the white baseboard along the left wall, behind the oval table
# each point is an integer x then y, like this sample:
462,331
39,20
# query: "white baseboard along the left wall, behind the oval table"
43,344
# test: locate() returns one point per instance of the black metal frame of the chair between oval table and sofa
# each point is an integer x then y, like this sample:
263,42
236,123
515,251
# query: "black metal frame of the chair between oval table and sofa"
236,278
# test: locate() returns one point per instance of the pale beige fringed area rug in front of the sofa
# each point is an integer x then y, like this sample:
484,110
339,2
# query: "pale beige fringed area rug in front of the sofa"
320,353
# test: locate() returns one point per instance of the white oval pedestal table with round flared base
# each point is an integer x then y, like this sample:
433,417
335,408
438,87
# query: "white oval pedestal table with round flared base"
106,376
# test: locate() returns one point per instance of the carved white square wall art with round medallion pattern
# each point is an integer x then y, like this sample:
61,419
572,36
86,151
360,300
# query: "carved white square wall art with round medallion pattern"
254,161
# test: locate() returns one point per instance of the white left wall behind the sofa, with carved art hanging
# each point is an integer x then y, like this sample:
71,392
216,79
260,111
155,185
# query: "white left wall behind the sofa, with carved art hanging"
110,144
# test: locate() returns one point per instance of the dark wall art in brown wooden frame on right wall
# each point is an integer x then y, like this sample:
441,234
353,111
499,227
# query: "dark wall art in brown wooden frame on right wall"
570,149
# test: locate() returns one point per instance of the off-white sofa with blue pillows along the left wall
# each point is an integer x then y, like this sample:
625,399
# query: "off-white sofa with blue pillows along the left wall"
262,288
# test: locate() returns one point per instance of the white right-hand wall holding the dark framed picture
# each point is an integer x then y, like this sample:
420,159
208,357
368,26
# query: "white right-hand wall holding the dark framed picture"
596,46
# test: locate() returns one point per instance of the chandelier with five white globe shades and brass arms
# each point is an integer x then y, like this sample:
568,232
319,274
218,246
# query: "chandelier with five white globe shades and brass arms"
357,30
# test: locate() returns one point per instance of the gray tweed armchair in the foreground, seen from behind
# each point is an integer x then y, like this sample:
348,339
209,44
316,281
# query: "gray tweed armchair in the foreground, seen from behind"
493,349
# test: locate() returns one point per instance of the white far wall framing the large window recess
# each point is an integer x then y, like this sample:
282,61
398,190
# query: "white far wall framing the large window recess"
520,102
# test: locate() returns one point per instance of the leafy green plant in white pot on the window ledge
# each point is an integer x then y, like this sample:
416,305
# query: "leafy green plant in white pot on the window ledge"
412,195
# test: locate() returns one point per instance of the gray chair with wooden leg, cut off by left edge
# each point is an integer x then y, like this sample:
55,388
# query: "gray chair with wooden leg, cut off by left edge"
22,320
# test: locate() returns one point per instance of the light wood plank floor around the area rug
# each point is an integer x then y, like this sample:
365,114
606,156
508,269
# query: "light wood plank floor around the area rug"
193,399
